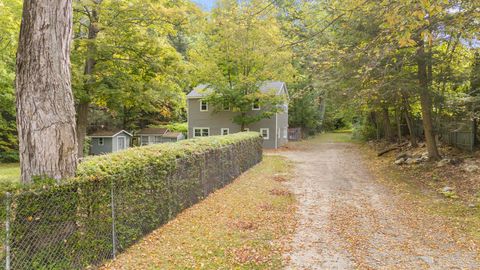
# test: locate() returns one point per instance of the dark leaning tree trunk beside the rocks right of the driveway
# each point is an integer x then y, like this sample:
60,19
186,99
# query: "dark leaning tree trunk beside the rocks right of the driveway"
426,103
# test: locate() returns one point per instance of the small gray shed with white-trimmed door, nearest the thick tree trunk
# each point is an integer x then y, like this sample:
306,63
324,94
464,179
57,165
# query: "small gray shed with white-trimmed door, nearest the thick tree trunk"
109,141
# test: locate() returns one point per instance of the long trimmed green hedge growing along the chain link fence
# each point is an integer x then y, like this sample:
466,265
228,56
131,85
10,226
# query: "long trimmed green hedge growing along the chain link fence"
72,226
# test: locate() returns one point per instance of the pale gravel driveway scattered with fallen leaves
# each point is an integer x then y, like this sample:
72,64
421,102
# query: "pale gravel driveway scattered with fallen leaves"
347,220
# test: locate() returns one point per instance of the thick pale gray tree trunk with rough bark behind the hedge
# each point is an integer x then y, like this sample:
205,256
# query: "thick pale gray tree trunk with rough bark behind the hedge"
45,106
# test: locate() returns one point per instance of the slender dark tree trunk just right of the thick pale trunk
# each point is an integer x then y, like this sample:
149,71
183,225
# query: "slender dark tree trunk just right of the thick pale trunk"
84,104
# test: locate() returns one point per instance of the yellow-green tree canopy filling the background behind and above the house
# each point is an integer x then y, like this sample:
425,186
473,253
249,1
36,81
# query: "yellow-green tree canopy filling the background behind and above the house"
377,65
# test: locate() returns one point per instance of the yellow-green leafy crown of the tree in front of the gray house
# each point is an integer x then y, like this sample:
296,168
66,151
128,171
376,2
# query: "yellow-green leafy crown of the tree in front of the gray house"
241,49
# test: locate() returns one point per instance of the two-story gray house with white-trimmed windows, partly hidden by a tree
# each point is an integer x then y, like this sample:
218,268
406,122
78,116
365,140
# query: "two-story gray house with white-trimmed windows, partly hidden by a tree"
204,121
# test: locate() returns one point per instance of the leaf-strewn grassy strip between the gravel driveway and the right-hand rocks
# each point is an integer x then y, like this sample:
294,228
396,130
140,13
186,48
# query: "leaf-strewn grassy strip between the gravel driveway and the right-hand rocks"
412,184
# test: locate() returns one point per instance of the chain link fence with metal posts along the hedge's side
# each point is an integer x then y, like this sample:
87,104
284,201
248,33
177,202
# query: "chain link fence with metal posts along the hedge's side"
82,224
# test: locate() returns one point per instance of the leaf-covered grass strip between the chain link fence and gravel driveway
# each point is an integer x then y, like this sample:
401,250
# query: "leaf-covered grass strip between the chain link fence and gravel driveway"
240,226
